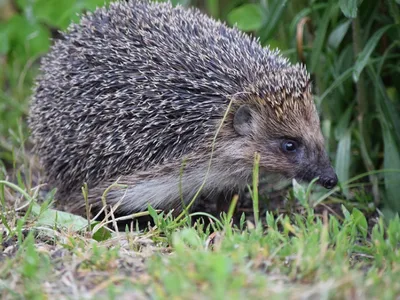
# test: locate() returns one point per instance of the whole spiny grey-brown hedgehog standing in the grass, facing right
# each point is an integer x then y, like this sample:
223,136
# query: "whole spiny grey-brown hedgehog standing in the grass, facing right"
169,104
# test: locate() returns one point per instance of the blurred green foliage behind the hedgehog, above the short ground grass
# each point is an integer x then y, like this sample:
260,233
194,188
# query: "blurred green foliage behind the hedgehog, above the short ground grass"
351,48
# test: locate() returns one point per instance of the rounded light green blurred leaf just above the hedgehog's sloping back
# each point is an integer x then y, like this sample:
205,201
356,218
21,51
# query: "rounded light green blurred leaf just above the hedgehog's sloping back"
247,17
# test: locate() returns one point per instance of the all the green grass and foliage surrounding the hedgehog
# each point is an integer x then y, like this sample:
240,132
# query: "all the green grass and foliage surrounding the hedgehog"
303,243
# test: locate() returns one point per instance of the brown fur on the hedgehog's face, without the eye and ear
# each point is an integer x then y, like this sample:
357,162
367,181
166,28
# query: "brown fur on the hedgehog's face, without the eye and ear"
293,119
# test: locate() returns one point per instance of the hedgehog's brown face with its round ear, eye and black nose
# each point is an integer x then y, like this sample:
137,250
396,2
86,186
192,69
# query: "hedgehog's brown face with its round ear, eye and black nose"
292,146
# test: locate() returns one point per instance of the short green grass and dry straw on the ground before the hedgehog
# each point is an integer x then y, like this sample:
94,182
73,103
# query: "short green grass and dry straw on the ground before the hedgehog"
297,248
